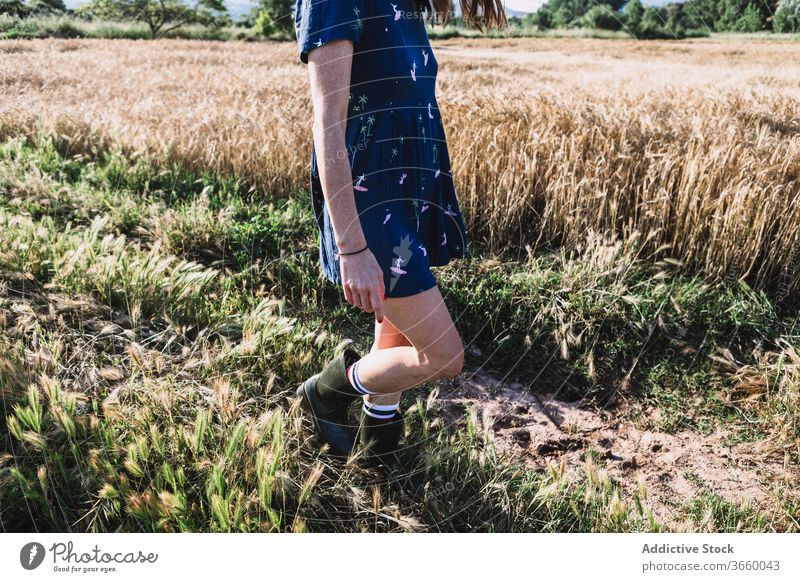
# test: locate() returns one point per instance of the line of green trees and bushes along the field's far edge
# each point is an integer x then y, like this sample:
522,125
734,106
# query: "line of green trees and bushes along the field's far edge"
271,17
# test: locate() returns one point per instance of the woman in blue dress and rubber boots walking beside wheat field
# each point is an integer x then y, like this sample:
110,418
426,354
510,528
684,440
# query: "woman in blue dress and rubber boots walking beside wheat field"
386,208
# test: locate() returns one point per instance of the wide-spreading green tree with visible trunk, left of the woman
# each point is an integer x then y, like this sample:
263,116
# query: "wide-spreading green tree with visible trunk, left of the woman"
161,16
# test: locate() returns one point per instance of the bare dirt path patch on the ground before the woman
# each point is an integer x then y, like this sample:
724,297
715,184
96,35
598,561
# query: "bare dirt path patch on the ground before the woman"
675,468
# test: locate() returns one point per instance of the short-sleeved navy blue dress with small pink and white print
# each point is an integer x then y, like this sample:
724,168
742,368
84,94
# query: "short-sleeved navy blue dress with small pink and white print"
402,182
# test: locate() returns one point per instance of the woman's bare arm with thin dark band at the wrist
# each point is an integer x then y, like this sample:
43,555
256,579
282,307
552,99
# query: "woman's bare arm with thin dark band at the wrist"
329,74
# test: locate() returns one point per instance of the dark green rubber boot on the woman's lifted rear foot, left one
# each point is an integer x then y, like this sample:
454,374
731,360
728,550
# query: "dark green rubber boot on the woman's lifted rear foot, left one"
326,397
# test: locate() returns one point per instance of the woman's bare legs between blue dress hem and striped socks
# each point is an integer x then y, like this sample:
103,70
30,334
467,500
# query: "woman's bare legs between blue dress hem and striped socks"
436,350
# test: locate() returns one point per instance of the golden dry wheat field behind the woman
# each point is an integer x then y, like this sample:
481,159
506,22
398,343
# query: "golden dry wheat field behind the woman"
694,145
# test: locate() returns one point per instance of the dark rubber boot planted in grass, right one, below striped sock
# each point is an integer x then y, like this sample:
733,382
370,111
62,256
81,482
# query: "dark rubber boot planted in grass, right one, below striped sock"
380,439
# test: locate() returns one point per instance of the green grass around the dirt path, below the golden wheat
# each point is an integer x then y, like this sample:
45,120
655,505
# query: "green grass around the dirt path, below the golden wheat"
153,324
